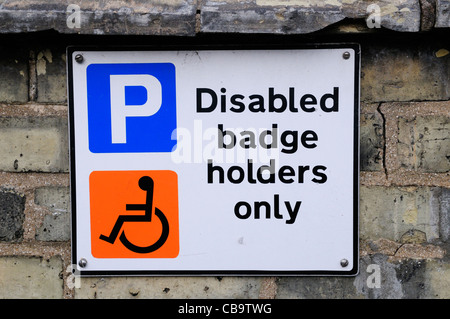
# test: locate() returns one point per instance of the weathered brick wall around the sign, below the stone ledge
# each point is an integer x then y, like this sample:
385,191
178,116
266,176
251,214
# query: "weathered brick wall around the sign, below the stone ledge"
404,181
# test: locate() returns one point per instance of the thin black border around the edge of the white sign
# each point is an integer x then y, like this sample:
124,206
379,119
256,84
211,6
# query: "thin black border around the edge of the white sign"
356,161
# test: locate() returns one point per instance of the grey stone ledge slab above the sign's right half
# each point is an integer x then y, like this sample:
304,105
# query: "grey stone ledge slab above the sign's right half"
303,16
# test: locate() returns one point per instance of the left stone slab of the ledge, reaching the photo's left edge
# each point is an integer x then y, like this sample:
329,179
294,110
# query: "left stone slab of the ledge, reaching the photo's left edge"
162,17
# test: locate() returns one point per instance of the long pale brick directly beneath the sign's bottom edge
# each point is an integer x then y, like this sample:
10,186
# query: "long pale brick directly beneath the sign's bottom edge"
169,287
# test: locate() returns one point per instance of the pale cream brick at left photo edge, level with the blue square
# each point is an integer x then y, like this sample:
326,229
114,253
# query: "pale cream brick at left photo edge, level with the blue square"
37,144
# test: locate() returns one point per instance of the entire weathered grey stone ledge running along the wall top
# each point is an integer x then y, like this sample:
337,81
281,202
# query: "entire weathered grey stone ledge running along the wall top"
188,17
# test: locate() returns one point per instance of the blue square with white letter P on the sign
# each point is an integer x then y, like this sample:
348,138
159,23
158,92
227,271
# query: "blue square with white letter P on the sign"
131,107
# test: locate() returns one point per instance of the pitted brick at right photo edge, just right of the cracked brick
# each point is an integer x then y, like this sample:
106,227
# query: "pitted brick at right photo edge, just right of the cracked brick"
424,143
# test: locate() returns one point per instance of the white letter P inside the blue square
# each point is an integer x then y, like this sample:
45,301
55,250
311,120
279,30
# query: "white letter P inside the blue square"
120,111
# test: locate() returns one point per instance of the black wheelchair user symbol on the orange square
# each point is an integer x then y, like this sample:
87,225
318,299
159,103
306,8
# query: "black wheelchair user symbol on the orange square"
146,184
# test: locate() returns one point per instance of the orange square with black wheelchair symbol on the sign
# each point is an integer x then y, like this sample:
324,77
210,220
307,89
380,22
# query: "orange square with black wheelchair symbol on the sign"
134,214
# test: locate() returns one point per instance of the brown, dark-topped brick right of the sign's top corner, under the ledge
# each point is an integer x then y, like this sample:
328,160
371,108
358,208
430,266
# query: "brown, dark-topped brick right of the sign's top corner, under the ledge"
415,73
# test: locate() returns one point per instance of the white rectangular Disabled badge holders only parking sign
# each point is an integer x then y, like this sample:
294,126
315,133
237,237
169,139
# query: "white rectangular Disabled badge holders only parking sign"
214,161
